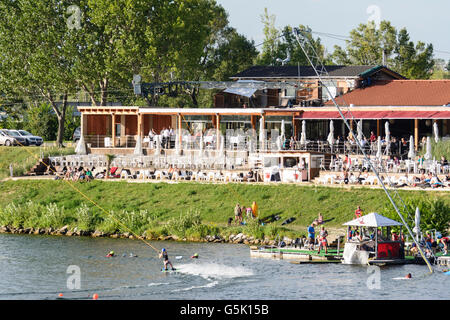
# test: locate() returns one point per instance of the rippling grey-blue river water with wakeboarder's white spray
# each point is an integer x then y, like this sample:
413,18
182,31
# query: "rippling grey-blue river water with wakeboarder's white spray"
36,267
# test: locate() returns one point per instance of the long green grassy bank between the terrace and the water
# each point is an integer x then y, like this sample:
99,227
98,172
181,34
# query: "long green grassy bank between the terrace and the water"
185,209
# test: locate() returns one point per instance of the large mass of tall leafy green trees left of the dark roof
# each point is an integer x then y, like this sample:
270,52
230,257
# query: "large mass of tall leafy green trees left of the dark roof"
45,55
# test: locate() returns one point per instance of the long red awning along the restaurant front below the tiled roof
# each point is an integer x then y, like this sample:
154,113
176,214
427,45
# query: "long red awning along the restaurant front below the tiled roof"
391,114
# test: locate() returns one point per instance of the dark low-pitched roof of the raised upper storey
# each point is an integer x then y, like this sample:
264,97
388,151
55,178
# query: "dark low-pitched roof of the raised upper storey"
308,71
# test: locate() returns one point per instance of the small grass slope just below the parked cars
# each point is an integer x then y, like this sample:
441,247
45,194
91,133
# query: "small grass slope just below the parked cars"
24,158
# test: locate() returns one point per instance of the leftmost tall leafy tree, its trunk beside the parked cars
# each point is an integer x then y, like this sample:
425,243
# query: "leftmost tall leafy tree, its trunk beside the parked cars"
35,62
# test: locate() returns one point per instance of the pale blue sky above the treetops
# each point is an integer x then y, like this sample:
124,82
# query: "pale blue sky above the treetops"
426,21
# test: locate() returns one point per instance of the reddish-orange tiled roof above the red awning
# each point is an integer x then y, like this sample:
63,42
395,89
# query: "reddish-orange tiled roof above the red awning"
399,93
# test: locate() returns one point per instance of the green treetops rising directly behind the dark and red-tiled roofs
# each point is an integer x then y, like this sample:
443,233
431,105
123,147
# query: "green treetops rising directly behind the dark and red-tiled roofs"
368,45
